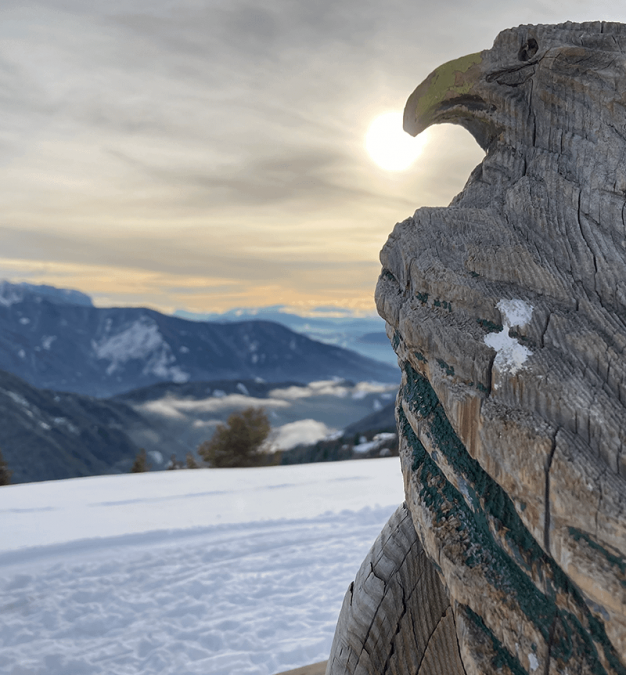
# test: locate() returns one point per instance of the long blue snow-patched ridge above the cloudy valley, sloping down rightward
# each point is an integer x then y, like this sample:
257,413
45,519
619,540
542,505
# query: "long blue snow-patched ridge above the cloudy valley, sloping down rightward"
54,343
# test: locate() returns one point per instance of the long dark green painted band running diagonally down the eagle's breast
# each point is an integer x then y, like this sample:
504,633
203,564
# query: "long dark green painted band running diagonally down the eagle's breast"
494,538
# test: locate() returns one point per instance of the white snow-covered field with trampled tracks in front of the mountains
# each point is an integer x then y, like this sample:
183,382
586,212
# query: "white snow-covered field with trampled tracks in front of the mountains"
232,571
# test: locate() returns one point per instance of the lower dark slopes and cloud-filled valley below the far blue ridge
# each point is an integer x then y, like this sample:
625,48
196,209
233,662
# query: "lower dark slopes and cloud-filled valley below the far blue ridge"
48,435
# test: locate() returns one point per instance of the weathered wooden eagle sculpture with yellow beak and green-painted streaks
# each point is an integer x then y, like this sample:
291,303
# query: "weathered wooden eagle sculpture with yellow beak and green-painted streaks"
507,311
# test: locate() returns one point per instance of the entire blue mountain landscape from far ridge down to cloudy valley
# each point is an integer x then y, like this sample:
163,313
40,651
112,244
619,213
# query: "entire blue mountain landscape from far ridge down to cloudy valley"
83,389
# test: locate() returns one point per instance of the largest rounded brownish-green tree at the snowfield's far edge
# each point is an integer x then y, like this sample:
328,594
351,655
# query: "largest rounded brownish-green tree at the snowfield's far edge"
239,443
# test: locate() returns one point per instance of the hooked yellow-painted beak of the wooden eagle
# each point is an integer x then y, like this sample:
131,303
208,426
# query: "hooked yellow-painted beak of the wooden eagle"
441,95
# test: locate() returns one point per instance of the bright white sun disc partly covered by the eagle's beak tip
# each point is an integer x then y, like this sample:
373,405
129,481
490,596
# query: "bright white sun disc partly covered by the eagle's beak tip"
391,147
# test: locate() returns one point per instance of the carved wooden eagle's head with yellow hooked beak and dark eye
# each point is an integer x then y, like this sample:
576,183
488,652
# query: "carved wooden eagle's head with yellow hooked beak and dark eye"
532,75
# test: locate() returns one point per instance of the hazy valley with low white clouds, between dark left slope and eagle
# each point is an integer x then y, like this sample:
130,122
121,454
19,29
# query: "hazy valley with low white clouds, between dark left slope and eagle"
181,416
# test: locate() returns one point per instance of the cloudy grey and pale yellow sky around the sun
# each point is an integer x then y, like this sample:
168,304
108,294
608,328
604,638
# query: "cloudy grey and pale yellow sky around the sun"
210,154
